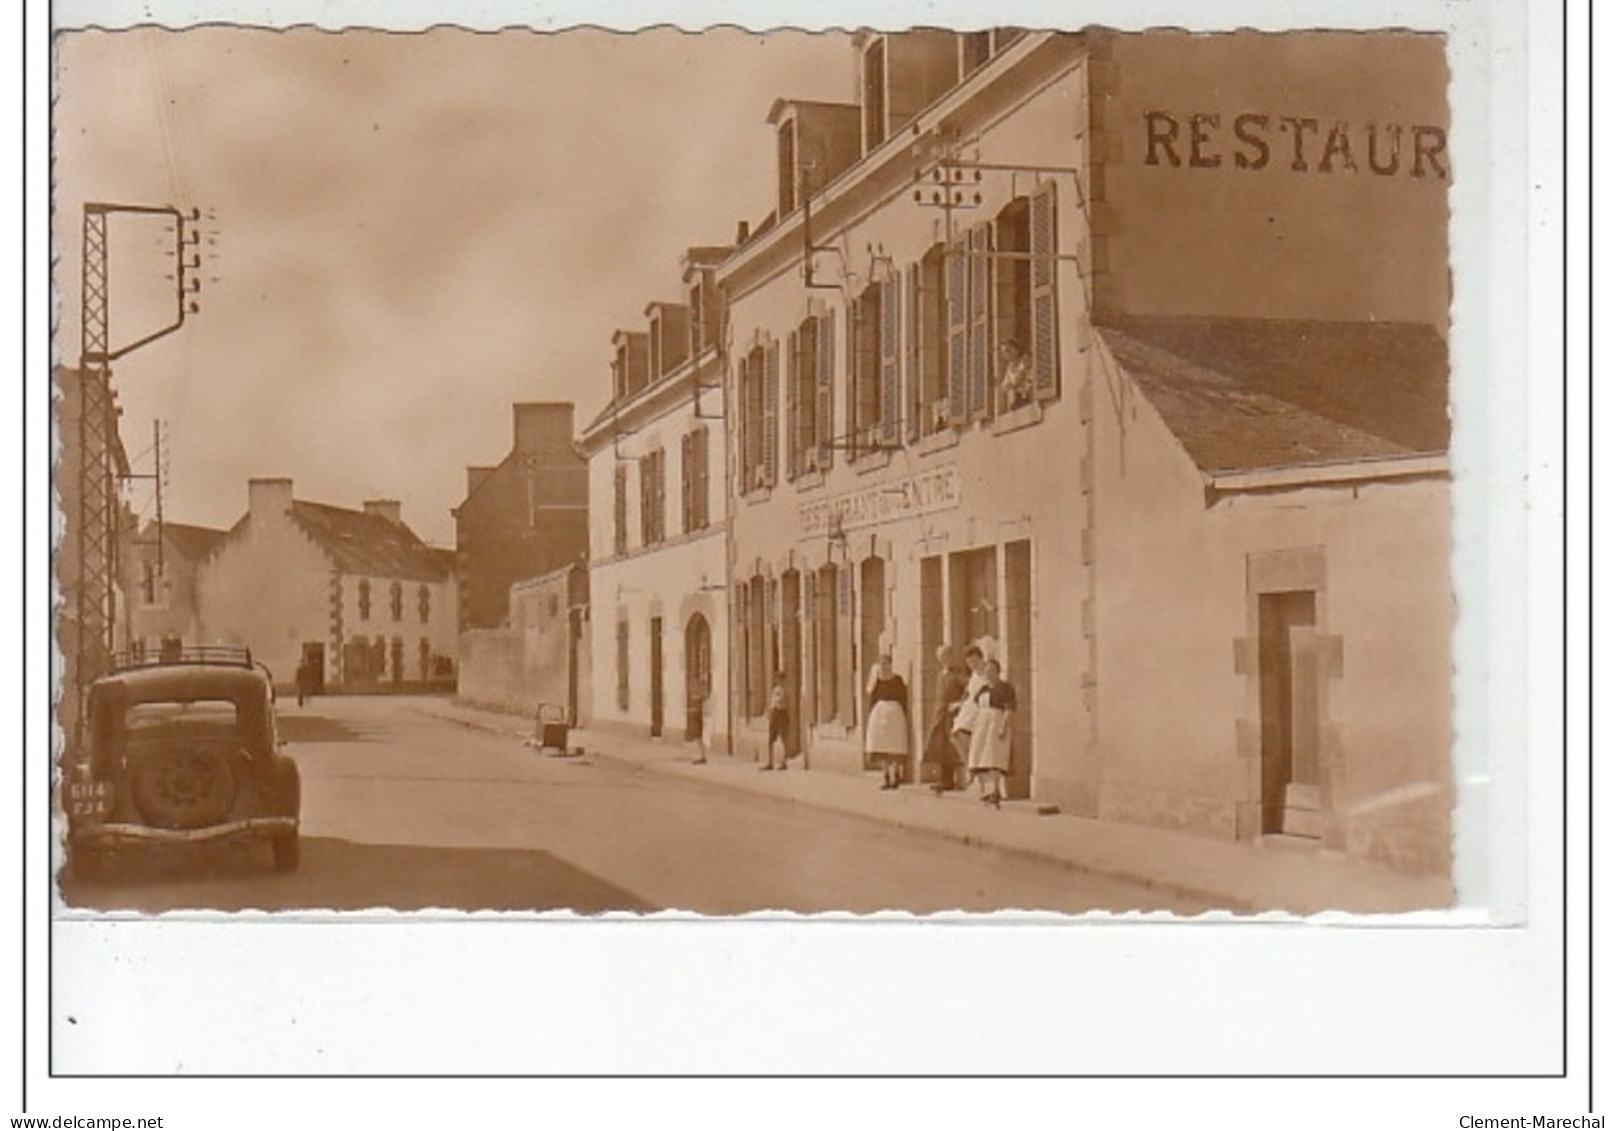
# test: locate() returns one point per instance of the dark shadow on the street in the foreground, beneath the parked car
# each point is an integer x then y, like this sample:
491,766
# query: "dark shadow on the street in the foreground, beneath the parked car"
345,877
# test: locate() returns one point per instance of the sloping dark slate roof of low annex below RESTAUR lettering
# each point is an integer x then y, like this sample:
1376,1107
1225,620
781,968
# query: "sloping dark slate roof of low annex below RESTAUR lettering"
1254,393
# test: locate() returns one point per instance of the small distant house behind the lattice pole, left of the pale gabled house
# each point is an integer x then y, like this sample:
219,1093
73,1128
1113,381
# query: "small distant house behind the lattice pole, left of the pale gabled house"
161,576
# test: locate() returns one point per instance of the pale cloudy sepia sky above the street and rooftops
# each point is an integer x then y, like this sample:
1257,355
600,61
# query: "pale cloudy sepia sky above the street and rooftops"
405,233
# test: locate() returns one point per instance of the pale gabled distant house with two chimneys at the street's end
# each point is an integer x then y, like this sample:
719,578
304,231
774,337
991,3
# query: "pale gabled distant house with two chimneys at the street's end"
354,594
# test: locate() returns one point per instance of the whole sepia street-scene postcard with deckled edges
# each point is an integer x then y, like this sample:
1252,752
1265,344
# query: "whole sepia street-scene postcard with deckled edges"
949,473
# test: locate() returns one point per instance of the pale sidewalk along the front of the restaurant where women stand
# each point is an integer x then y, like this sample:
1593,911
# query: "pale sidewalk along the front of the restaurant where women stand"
1231,877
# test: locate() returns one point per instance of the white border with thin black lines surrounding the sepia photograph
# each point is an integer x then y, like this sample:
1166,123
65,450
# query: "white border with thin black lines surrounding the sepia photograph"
776,998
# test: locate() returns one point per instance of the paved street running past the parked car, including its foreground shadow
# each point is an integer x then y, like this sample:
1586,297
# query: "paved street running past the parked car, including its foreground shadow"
406,810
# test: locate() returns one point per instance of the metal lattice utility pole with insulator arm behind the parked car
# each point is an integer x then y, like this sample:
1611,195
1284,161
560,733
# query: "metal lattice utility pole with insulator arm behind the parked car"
101,456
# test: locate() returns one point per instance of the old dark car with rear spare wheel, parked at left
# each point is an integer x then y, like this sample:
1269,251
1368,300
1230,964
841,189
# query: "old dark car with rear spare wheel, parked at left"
180,750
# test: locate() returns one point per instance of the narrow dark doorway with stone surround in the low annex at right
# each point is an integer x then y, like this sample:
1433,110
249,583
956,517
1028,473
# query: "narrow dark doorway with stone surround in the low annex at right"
1290,713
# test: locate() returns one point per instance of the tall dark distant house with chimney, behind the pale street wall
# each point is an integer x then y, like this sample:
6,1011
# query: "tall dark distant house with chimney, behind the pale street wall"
522,518
